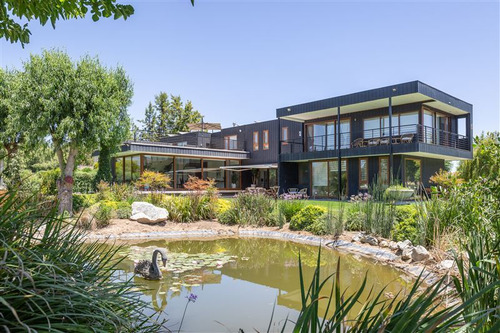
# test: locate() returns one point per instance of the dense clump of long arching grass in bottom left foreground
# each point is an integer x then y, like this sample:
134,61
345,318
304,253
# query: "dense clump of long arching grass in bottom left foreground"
50,280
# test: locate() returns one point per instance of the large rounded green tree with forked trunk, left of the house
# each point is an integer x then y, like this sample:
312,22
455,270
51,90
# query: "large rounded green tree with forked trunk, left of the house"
75,105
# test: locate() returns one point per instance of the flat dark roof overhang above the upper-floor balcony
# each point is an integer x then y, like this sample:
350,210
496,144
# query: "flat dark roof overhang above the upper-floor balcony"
401,94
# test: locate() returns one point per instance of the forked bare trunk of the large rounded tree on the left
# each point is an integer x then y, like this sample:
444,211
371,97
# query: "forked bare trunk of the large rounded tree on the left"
65,183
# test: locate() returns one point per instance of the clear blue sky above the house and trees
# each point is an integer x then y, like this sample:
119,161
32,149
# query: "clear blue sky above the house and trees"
238,61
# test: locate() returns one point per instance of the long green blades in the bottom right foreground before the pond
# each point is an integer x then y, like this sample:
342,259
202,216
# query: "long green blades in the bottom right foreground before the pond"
414,311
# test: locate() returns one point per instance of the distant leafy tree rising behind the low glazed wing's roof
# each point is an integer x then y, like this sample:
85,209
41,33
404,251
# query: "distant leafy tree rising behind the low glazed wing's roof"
168,115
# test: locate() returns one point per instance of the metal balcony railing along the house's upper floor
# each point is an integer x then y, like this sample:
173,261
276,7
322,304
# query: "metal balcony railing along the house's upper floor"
401,134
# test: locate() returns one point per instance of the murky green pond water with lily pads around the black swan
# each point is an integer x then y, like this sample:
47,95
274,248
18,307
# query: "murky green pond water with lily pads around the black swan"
238,281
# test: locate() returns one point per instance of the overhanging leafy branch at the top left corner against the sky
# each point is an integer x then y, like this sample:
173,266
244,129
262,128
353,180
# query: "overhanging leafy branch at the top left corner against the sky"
13,14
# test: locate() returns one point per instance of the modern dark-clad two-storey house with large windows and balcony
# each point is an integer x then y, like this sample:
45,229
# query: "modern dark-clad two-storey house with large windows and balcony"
334,147
